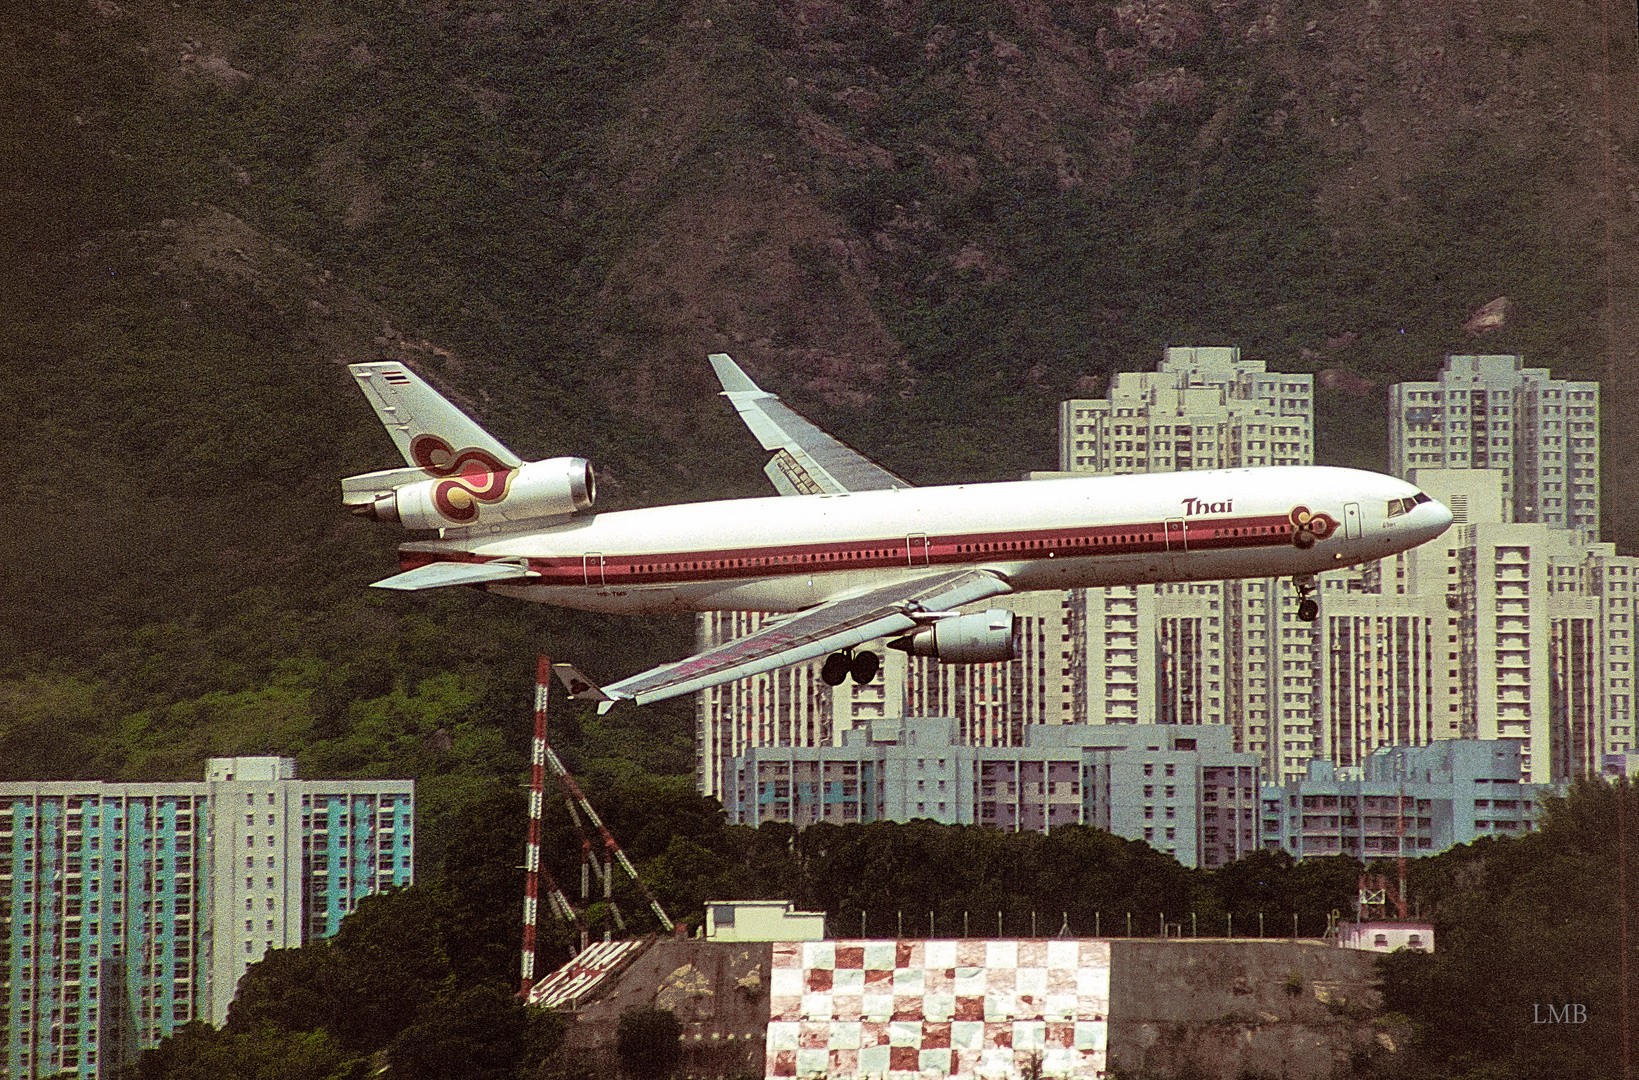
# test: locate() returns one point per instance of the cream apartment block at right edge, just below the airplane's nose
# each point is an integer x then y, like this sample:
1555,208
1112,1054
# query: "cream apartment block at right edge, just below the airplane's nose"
1496,632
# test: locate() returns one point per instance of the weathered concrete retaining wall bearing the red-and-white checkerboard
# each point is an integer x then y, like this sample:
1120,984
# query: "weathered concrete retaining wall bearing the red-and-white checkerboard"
1178,1010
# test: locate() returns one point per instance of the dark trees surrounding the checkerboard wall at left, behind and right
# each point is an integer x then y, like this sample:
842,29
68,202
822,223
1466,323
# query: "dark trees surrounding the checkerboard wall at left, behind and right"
420,979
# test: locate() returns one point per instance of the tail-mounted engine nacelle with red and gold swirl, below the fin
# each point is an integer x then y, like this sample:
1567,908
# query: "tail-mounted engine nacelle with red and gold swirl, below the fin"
481,494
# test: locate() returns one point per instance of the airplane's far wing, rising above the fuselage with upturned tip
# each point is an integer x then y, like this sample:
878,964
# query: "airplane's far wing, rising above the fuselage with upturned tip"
807,461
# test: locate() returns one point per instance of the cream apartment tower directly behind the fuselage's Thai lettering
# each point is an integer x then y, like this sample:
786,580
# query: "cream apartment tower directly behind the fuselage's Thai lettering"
1202,653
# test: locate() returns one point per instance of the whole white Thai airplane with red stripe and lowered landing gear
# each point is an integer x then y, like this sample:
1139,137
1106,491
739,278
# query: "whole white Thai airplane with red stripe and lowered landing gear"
850,550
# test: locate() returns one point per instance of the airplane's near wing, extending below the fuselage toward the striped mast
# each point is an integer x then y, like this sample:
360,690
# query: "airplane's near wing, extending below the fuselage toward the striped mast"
820,630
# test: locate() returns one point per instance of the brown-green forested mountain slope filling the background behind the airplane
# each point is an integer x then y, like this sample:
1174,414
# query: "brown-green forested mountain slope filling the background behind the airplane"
924,224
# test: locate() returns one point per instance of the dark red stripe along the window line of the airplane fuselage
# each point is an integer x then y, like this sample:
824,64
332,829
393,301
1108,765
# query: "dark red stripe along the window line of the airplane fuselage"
727,565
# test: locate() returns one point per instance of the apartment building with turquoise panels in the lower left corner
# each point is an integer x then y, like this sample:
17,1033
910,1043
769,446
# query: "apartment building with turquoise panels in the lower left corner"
134,909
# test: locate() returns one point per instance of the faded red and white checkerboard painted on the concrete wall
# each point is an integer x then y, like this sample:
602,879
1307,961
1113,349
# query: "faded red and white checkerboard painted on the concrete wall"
907,1010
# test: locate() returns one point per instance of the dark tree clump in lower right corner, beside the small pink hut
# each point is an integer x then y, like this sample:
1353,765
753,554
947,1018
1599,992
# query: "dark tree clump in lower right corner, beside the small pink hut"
1537,923
